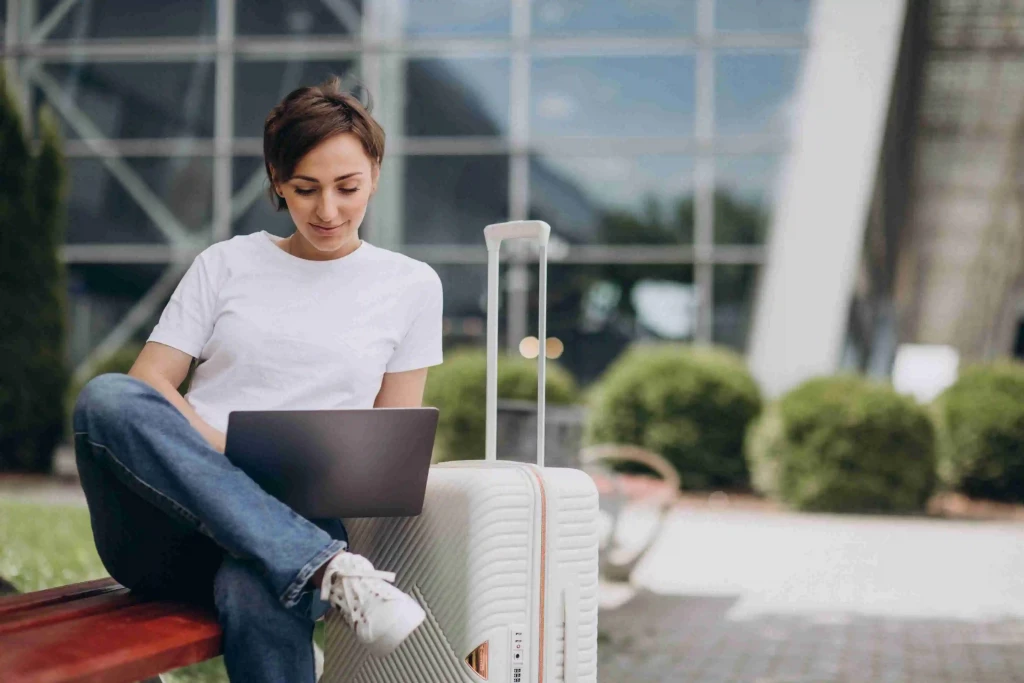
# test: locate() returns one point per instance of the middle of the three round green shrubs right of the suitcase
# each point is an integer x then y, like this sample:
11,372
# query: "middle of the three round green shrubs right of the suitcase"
844,445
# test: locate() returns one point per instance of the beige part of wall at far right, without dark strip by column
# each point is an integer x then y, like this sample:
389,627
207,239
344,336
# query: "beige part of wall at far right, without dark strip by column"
963,285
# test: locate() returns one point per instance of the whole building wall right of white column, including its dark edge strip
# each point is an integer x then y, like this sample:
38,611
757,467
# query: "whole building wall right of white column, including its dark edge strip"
945,246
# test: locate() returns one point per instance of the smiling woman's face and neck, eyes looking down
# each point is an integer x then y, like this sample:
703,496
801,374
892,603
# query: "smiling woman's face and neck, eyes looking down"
327,197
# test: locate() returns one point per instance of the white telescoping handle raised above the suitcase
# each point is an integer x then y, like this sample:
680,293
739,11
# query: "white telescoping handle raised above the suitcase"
494,235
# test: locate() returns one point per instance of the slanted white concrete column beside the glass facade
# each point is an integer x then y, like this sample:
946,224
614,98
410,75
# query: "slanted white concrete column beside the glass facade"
825,191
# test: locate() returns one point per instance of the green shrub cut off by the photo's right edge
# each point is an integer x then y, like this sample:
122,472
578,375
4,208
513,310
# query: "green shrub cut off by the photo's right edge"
982,433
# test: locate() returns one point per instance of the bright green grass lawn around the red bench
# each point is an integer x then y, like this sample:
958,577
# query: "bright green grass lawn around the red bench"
51,546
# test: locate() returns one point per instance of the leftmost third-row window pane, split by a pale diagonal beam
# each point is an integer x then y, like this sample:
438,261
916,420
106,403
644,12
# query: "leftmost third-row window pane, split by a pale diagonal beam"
102,210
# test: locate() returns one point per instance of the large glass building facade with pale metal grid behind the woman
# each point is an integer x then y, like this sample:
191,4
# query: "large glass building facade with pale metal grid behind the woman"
649,134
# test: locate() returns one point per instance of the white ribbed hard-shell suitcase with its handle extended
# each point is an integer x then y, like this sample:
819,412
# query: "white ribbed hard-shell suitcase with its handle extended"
503,559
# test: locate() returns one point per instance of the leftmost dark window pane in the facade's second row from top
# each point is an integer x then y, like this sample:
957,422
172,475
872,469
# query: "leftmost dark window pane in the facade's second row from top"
134,101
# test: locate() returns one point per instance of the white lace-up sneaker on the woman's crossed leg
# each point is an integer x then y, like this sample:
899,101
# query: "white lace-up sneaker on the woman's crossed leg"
381,615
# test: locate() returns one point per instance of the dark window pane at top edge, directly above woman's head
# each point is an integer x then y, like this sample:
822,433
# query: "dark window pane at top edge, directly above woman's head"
298,18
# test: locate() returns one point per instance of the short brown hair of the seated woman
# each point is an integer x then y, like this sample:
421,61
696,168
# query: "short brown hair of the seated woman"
308,117
